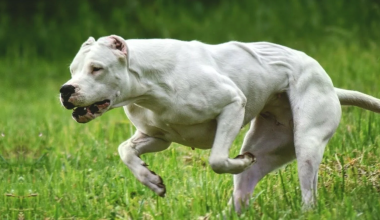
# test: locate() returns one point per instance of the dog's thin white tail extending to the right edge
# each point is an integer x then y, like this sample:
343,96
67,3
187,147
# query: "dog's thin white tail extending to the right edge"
349,97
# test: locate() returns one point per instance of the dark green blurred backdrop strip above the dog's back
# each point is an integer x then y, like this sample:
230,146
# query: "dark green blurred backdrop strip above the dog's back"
53,30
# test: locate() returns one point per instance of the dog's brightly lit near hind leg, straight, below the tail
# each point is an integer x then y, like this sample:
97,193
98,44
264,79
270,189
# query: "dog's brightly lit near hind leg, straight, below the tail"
316,114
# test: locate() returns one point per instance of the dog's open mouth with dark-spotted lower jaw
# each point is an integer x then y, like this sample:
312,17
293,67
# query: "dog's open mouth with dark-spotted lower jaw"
87,113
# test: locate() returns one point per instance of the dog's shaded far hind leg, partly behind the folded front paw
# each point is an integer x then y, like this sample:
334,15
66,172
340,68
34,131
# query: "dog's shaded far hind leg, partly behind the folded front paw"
272,145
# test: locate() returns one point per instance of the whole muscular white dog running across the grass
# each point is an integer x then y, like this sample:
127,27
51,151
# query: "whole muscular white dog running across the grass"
201,95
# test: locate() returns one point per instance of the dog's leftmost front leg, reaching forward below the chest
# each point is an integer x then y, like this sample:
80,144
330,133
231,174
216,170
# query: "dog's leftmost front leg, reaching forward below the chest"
130,151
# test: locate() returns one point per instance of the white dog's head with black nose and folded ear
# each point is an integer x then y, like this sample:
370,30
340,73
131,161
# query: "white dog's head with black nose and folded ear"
98,75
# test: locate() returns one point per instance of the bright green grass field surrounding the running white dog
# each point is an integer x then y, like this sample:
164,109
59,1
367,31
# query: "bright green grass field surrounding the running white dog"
54,168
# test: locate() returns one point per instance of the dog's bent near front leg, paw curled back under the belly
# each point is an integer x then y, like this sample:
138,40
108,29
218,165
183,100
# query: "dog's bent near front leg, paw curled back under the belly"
229,124
